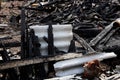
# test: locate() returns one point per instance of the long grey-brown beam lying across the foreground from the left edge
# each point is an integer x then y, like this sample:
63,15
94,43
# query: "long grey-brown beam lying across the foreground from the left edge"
25,62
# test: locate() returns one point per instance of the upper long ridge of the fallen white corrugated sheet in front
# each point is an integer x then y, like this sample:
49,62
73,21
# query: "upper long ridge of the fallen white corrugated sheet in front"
78,61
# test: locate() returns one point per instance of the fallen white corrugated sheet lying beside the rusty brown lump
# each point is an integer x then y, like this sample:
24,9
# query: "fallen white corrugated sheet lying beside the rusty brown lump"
73,66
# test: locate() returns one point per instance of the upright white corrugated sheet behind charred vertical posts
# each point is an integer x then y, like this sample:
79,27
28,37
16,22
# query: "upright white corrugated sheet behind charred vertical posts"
62,36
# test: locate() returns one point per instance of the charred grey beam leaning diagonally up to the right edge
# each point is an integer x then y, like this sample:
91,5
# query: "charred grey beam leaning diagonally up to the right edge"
108,31
